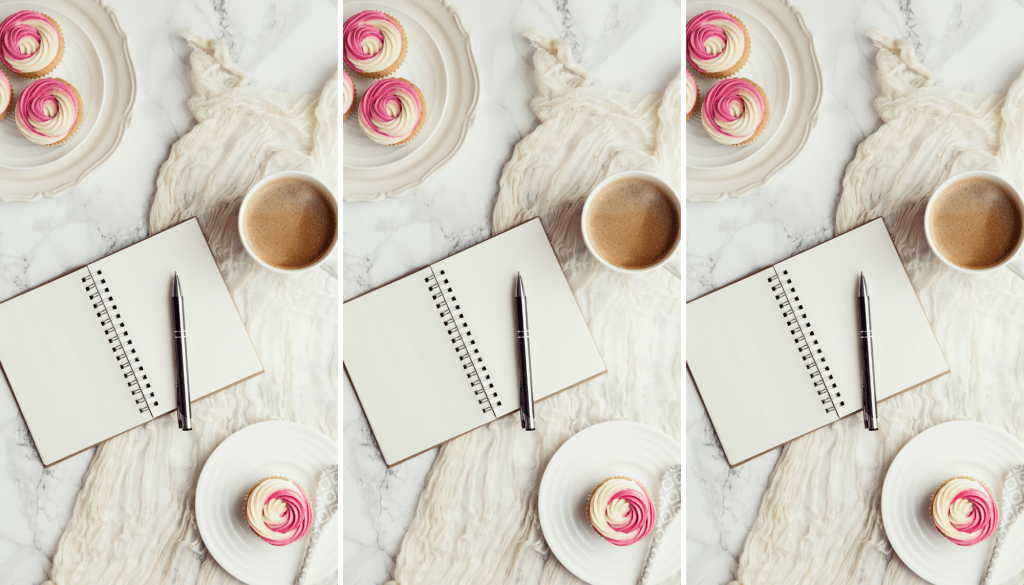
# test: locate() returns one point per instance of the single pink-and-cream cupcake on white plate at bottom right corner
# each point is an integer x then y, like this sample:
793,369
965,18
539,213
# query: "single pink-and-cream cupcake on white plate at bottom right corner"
964,511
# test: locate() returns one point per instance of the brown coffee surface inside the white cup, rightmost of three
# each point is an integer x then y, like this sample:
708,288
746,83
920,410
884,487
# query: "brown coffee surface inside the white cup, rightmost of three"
976,224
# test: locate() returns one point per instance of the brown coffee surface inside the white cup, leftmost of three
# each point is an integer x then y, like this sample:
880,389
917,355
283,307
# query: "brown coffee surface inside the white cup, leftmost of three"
290,224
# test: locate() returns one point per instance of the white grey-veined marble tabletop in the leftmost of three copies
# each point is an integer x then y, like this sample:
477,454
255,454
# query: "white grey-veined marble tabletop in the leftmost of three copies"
42,240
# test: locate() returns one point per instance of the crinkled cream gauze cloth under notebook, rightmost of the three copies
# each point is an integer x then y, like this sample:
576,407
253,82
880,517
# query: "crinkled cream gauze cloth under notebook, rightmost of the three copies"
821,521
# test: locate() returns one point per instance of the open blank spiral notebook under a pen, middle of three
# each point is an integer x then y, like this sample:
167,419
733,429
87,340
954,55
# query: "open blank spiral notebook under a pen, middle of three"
434,355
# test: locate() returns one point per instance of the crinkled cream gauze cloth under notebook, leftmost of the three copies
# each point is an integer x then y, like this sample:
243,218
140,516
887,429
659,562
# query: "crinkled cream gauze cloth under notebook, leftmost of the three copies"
135,521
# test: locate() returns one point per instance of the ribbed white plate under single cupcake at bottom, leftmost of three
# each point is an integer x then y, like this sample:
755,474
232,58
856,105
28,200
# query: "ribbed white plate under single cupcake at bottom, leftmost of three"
276,448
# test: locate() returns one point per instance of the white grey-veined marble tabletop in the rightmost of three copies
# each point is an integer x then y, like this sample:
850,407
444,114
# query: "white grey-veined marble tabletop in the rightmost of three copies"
726,241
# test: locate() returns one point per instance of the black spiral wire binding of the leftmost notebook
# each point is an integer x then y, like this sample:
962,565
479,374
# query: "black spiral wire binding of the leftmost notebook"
117,336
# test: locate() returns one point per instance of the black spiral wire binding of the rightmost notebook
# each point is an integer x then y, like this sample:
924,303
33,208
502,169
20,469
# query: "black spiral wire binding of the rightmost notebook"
800,328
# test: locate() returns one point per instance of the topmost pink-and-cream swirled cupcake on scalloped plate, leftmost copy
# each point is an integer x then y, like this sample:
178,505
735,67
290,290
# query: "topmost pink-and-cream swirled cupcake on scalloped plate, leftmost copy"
31,45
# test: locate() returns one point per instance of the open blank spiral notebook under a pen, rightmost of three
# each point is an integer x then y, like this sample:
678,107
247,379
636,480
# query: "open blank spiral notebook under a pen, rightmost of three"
778,355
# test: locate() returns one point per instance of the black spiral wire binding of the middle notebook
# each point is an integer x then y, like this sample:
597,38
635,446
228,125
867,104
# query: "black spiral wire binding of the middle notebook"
458,329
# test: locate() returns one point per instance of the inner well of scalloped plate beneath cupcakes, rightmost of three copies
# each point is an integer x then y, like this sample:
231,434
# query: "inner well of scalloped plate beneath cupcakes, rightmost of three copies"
767,67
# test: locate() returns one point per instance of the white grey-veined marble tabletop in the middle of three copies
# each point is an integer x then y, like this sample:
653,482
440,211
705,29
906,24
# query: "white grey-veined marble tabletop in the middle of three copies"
386,240
